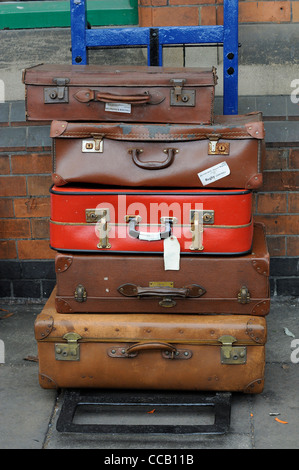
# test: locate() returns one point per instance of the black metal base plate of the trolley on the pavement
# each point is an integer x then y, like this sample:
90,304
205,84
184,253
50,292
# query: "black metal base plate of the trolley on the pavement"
221,403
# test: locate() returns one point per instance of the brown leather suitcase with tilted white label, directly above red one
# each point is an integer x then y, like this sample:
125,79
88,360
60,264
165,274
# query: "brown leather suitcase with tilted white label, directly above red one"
226,154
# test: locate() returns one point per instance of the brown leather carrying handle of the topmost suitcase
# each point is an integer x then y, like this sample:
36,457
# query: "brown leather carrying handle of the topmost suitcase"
84,96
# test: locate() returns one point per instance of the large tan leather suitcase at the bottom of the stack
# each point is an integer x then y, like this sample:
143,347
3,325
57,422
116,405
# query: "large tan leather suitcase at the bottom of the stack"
137,351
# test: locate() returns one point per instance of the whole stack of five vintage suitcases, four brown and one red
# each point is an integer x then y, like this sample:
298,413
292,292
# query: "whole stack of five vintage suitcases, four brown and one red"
162,273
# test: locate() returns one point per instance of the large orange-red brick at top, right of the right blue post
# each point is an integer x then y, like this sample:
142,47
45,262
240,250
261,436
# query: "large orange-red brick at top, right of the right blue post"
263,12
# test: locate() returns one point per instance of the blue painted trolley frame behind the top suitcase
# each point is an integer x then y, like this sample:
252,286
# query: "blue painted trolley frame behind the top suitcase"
83,38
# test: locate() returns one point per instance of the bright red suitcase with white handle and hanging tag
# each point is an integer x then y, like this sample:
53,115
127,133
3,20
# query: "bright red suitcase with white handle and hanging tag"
105,220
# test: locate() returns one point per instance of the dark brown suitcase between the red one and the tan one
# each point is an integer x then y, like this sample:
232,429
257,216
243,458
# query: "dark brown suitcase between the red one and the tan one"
124,284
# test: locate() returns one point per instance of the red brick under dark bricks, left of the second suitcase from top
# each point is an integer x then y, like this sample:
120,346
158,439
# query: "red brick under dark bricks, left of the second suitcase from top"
32,163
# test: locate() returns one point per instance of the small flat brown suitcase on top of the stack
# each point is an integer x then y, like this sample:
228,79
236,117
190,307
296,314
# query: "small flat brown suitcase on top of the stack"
119,93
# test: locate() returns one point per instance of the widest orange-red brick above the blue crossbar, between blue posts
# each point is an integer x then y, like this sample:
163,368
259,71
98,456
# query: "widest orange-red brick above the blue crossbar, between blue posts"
179,16
